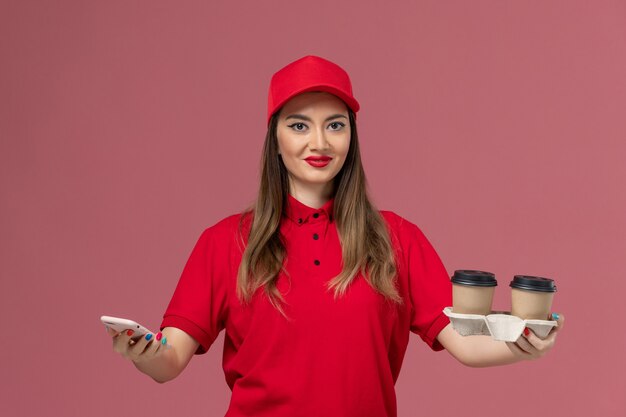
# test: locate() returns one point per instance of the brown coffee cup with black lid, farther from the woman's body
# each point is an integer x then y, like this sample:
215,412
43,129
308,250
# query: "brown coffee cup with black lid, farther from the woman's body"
531,297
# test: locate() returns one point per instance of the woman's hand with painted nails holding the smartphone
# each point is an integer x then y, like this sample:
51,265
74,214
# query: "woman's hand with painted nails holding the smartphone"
138,350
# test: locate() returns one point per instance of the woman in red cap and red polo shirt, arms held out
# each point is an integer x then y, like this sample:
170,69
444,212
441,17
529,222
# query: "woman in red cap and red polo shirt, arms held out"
317,291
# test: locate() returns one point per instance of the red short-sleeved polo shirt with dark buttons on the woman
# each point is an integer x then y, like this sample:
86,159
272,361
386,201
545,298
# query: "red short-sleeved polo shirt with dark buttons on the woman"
332,358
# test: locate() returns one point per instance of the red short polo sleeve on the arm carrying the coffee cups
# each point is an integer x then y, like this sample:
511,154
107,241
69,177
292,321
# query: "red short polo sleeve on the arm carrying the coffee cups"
430,289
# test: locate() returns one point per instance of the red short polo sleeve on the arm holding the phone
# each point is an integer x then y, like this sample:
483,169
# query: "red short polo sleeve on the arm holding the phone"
199,303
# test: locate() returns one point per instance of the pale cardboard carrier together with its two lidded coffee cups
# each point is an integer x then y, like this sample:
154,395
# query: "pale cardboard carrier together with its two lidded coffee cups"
531,298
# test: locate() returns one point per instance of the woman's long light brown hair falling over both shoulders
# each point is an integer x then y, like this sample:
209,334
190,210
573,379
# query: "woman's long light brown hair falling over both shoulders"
365,241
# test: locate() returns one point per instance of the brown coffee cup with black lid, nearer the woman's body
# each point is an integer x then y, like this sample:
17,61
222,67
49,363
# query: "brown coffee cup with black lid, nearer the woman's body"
472,291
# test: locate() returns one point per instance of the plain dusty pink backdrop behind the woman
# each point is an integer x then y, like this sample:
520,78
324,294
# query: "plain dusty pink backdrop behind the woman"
128,127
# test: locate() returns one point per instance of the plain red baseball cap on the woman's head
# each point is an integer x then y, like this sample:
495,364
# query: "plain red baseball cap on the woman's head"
310,73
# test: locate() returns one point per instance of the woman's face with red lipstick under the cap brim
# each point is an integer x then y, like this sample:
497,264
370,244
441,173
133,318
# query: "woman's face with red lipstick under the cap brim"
313,125
